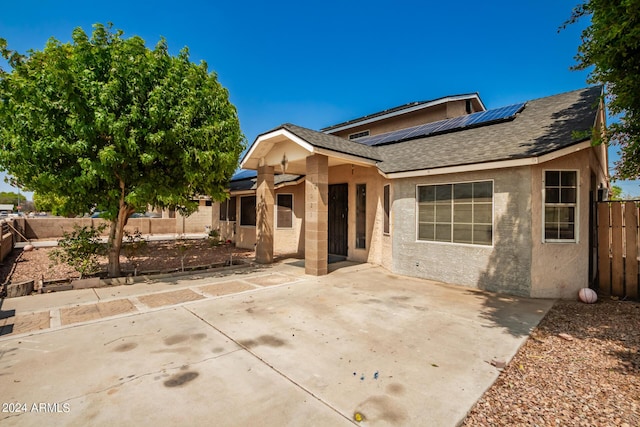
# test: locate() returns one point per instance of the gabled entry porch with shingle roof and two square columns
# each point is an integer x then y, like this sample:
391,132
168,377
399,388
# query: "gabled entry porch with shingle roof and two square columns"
294,150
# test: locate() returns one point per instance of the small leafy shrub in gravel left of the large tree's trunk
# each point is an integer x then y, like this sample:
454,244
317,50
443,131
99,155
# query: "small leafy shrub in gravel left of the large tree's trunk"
80,249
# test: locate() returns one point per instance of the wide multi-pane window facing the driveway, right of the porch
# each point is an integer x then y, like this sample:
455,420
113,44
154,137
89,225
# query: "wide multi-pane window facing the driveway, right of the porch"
456,213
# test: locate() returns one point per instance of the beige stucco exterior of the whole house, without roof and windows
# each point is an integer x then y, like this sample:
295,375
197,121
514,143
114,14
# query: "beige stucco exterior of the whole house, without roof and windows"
518,261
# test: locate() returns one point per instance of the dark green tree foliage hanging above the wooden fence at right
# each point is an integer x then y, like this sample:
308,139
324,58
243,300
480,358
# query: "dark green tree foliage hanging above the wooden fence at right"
611,45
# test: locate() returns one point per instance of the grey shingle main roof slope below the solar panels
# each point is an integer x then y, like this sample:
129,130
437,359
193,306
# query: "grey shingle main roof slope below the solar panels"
545,125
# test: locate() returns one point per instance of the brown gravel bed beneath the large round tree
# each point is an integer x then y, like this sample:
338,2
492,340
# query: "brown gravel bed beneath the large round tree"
162,255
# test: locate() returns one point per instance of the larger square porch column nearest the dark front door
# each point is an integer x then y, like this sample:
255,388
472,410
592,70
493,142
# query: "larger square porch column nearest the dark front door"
316,215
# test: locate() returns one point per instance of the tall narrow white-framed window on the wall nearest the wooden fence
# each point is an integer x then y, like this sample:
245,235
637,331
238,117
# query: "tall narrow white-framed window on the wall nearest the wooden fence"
560,204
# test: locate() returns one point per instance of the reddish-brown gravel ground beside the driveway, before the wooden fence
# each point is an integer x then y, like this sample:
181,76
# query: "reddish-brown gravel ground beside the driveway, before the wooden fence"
580,367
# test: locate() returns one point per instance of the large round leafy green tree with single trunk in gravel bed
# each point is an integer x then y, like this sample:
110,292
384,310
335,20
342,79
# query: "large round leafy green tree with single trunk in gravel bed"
105,122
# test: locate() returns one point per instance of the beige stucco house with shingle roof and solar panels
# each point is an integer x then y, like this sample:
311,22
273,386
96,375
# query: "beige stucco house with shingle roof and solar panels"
447,190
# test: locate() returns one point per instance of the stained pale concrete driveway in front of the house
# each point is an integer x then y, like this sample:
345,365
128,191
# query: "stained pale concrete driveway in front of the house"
267,346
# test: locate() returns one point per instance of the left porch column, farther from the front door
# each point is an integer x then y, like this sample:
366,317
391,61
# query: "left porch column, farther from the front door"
265,197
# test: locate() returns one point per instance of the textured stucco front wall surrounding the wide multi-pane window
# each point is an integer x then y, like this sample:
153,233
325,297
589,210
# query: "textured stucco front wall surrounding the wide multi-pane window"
502,267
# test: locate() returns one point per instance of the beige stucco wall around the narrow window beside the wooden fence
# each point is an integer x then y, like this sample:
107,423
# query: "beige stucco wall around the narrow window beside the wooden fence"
559,270
